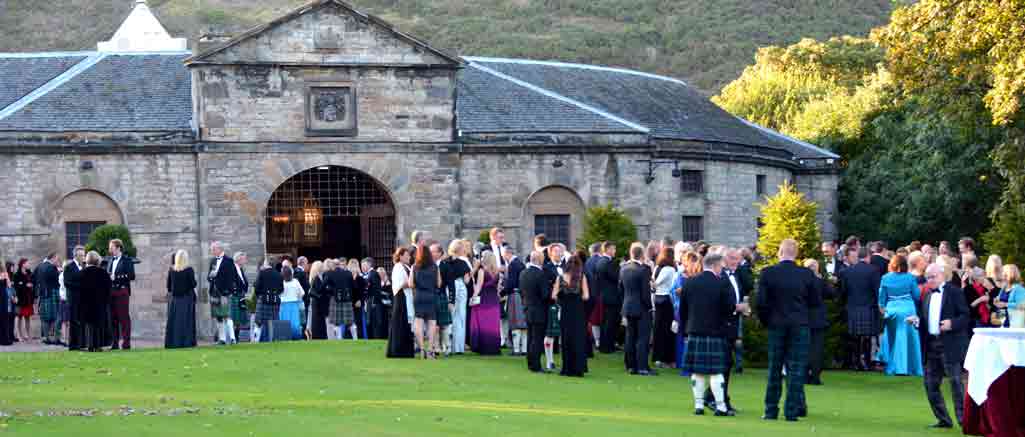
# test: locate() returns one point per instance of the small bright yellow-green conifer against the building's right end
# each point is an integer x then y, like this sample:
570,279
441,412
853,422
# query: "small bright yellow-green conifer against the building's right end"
789,215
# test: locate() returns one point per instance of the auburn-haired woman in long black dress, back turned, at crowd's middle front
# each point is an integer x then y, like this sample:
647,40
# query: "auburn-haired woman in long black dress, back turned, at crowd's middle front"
571,291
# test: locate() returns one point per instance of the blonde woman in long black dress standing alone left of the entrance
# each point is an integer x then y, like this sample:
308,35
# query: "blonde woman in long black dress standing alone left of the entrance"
182,311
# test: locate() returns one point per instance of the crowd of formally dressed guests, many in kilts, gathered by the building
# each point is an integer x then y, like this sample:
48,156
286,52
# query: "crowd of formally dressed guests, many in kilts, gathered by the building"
667,305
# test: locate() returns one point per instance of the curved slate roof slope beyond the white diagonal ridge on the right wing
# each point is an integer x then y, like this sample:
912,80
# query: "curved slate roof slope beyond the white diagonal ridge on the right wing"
668,108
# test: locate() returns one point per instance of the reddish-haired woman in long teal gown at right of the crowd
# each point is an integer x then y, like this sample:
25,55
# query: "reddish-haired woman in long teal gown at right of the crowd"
900,346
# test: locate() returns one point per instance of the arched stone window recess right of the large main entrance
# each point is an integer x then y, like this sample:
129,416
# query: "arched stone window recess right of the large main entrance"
557,212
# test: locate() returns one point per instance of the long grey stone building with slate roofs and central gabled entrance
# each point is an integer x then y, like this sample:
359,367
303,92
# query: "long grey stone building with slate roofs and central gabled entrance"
331,133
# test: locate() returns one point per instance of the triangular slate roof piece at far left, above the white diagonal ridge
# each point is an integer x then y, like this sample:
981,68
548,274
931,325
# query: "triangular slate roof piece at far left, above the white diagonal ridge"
23,74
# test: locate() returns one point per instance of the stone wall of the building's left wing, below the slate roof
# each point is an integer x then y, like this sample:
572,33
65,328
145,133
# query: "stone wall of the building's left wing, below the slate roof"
155,195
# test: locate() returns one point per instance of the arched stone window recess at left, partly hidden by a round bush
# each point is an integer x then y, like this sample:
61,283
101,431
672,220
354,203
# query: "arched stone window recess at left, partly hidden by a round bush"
78,214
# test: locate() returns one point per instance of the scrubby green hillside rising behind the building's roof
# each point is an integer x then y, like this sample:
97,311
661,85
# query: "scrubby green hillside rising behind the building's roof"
706,43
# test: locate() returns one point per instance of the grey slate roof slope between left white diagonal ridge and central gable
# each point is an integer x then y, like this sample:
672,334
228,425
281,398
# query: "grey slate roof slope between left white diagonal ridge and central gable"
120,93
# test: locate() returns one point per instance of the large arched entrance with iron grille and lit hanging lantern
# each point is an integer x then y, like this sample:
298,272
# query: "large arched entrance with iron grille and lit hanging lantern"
332,212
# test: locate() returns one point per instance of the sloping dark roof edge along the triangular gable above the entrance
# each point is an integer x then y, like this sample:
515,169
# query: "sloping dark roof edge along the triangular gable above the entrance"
209,57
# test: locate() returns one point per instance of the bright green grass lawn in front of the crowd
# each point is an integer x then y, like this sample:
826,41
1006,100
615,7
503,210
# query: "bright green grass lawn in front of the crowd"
333,388
